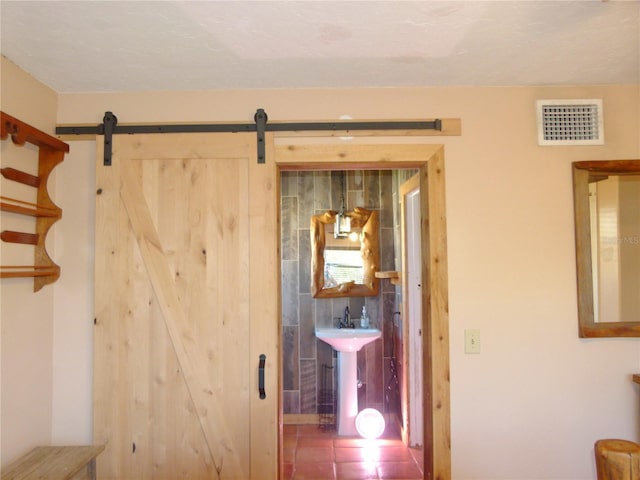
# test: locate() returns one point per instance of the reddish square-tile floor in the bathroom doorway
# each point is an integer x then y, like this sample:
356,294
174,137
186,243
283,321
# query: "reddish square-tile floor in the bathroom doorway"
312,453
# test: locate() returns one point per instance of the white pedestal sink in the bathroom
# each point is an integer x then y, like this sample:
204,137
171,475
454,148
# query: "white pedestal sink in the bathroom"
347,342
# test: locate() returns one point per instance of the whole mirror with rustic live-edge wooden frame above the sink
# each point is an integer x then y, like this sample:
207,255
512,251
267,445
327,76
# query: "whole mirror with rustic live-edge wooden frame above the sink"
344,267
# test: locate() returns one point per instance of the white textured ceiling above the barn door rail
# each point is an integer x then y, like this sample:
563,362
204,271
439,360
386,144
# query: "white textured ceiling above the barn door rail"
98,46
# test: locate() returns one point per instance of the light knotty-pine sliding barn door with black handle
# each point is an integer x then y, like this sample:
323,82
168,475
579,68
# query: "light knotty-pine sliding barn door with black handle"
185,305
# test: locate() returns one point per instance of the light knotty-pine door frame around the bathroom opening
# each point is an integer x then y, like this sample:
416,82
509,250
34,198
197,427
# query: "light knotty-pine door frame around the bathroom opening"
429,158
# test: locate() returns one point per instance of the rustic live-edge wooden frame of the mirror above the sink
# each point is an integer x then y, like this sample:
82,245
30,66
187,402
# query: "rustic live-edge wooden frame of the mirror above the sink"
369,249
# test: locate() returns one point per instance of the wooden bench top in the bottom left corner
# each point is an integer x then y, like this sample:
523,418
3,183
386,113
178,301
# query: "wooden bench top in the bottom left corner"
55,463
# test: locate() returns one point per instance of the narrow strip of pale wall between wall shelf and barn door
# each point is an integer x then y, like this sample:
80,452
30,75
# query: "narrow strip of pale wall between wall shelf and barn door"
73,298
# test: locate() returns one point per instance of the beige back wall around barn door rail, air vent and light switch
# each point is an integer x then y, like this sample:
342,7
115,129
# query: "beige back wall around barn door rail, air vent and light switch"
537,397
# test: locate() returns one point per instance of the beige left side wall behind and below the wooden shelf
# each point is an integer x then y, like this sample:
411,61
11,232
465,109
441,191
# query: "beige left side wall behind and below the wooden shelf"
26,317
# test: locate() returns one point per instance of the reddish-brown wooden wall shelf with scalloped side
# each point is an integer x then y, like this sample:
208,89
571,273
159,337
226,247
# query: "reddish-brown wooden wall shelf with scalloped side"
50,153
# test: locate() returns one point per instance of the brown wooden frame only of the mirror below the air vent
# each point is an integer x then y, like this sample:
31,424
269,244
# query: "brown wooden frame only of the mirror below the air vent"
582,171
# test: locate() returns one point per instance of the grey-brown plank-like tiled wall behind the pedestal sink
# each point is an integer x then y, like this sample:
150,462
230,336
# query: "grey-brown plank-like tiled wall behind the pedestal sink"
304,194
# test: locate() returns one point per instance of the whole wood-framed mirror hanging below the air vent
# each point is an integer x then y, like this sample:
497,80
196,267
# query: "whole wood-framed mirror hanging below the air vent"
607,226
